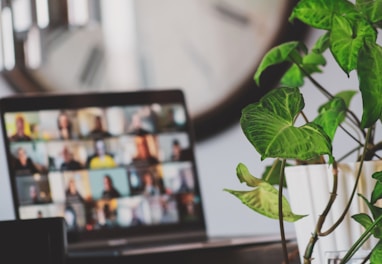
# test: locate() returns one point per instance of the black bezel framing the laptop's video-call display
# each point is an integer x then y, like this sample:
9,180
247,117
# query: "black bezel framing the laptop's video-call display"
50,101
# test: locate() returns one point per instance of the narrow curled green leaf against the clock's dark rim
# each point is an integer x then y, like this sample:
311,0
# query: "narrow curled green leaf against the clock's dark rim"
277,55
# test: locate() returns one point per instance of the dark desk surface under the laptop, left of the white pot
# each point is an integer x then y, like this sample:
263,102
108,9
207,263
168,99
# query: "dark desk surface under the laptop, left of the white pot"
245,251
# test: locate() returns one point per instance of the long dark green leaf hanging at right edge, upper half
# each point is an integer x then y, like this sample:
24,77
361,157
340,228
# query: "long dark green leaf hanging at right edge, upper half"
370,78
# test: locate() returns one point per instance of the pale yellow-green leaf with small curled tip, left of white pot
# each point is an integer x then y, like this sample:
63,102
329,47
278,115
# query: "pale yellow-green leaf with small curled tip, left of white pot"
264,198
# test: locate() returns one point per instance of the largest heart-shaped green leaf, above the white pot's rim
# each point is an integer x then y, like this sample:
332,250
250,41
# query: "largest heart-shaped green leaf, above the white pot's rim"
268,125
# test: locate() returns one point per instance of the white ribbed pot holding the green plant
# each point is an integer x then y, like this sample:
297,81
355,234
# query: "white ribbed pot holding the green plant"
309,188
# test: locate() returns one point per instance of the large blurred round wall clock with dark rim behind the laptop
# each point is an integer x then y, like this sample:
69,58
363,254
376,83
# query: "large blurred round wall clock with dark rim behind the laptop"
208,48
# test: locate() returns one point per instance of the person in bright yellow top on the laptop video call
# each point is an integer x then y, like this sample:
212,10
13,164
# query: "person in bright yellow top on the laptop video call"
101,159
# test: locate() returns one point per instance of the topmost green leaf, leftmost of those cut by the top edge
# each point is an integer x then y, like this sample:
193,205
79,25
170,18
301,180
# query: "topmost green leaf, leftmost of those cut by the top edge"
319,13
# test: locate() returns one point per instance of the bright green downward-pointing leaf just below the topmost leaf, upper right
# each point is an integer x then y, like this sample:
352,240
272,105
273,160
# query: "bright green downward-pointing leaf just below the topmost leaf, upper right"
346,39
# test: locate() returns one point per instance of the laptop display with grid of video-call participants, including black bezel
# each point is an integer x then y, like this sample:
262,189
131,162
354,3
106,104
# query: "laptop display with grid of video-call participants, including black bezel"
115,164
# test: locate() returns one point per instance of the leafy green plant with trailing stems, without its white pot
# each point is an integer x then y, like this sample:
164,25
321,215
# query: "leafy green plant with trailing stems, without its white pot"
278,128
